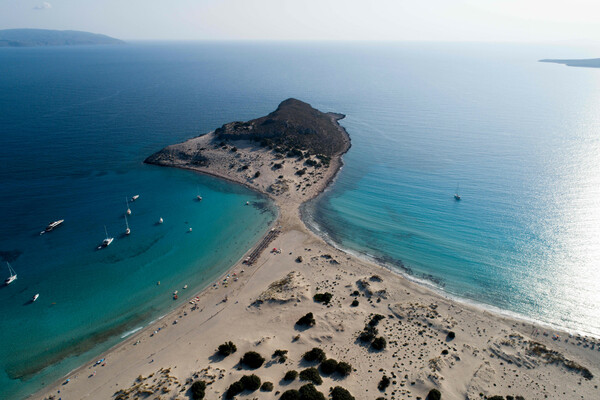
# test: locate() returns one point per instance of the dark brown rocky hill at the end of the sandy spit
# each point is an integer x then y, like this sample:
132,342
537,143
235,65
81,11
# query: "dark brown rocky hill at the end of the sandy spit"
293,125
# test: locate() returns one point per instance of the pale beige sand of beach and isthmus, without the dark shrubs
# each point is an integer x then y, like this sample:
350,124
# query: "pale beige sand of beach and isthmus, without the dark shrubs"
491,354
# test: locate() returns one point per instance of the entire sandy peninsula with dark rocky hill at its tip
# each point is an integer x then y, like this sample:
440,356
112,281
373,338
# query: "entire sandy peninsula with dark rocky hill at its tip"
300,319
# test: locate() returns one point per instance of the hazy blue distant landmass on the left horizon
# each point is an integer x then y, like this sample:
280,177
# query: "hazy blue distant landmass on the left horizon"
47,37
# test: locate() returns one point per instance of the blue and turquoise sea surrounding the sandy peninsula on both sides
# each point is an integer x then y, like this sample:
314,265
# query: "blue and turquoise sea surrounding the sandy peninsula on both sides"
521,138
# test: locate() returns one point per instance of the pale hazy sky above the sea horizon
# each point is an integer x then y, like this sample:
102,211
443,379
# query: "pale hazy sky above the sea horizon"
454,20
